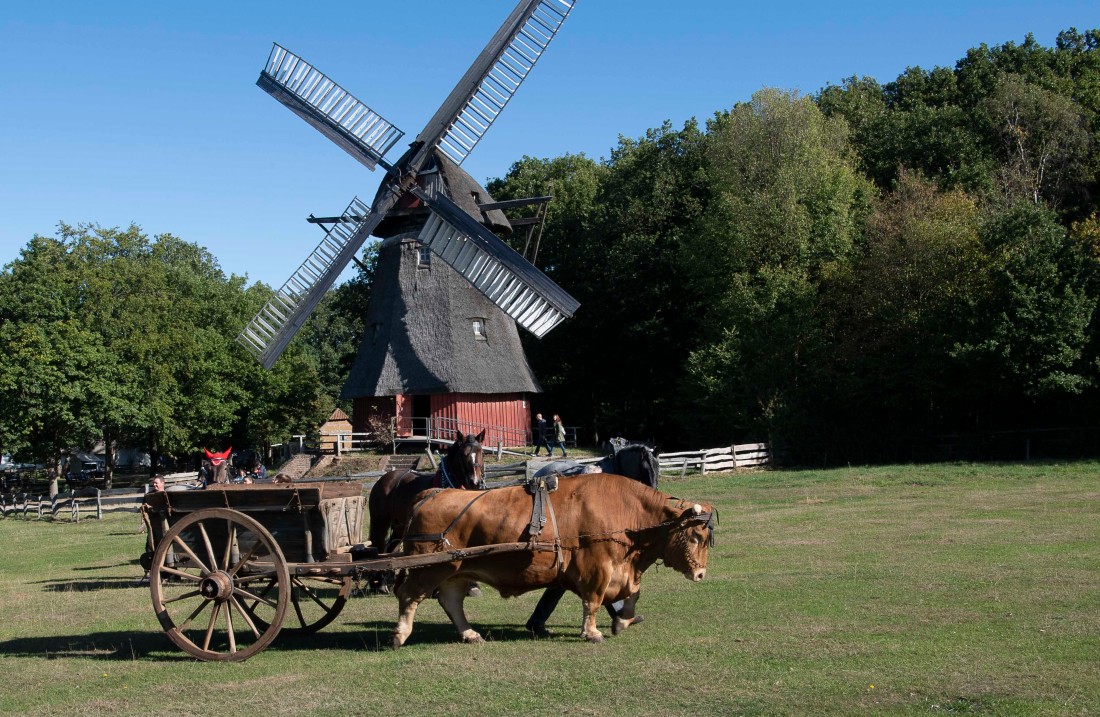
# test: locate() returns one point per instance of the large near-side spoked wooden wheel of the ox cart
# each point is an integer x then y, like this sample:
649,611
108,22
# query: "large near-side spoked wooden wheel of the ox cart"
207,577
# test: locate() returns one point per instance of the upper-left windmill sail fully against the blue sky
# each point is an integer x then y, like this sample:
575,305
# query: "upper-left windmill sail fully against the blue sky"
310,94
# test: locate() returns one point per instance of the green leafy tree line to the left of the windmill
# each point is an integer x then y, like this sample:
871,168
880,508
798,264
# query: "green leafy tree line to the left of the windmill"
111,336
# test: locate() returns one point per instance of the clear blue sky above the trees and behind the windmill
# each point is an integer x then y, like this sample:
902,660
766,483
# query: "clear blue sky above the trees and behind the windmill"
147,113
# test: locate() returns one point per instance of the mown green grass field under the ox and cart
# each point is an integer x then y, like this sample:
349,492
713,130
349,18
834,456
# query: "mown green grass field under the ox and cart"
890,591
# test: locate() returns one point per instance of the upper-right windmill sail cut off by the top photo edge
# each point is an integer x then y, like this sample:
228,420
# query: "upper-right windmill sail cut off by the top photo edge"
493,80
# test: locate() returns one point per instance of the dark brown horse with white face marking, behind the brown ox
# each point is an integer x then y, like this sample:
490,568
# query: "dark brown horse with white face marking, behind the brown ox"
393,497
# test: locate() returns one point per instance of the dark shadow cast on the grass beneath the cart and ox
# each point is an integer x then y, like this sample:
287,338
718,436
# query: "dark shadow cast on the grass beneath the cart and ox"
373,637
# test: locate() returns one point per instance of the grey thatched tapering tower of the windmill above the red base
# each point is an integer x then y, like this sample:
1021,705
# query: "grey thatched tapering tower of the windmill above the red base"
420,337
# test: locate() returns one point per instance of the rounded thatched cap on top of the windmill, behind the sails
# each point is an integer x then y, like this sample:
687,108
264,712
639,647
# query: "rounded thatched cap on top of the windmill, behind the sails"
444,175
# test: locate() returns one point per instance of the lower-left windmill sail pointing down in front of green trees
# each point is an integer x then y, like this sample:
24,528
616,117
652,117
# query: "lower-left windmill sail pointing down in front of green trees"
270,332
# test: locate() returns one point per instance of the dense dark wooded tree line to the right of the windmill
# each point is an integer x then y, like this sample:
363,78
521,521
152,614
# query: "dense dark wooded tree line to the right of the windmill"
848,275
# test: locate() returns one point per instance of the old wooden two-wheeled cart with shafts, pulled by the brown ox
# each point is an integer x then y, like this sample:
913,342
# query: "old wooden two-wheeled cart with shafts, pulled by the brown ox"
232,567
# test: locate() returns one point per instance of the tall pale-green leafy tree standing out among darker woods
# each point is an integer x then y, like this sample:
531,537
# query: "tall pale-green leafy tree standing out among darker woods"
786,214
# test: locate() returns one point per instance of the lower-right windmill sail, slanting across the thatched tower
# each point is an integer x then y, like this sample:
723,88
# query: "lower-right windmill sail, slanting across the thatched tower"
497,270
